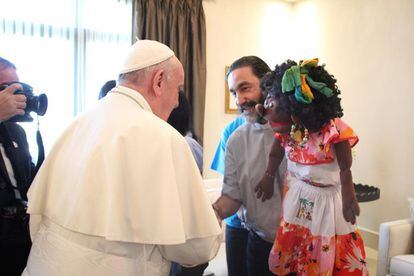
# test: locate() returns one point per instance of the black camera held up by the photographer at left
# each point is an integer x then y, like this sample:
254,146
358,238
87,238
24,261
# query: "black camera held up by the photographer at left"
37,104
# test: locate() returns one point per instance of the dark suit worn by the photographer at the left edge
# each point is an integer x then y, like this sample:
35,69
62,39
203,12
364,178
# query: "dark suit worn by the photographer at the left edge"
14,222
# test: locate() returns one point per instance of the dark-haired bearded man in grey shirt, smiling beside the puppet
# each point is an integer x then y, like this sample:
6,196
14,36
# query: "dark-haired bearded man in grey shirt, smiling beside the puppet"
246,155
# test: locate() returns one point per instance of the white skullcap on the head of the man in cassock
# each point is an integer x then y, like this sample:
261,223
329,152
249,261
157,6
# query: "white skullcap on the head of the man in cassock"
145,53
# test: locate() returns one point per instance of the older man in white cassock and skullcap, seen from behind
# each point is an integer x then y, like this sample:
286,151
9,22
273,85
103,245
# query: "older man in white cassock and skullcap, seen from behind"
120,192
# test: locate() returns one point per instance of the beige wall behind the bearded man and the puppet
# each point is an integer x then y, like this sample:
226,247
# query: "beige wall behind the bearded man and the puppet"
368,45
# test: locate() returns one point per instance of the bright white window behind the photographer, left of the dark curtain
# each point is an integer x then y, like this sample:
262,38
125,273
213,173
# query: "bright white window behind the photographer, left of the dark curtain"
66,49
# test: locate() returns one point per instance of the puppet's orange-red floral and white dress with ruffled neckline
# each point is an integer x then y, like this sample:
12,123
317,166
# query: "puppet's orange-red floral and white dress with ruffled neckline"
313,237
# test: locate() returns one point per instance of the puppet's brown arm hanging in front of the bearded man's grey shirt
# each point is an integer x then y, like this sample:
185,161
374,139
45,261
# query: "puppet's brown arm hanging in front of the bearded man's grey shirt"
264,189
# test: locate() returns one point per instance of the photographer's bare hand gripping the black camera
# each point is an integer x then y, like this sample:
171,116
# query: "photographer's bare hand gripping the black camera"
11,104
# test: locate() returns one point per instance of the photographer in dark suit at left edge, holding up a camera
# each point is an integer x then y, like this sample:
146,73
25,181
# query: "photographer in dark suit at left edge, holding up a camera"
16,174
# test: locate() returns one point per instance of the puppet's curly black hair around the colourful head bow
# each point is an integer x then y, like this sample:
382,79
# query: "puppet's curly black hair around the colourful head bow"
314,115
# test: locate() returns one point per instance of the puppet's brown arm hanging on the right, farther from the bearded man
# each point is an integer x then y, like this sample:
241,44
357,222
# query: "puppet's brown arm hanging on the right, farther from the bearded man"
350,207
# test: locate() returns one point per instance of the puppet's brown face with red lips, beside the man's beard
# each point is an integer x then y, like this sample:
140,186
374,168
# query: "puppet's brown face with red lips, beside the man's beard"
278,120
